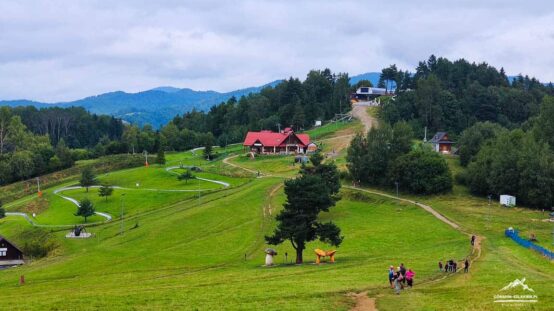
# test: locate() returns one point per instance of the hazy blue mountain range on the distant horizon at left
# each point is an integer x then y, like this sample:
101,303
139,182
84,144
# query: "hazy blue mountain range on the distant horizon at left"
155,107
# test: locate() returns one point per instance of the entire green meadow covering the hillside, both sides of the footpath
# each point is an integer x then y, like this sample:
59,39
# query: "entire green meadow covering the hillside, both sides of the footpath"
202,250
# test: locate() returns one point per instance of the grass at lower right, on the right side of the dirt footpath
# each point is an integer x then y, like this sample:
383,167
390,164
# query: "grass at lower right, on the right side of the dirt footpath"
502,260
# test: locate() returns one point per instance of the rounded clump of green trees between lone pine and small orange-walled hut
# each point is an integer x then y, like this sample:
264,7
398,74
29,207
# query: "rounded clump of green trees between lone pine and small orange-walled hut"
385,156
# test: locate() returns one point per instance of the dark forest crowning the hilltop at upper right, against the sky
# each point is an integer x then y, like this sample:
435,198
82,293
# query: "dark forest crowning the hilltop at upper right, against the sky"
451,96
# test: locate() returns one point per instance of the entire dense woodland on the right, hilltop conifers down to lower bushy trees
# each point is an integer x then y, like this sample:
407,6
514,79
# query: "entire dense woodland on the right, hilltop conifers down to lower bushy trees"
504,130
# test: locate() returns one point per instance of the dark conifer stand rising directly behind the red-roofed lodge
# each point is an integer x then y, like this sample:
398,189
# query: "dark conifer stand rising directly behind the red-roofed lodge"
291,103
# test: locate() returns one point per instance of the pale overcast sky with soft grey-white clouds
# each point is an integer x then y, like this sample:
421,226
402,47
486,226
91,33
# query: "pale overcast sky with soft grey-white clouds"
65,50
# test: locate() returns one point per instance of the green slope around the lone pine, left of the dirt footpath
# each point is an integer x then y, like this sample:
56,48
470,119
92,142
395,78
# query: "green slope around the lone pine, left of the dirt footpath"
192,255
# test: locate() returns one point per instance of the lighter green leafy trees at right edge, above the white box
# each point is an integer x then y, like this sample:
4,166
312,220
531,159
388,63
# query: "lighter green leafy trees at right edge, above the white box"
518,162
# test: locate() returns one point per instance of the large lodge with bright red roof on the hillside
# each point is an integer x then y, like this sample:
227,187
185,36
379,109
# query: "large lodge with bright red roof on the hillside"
268,142
